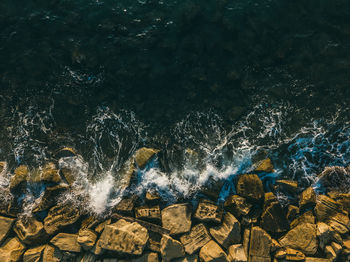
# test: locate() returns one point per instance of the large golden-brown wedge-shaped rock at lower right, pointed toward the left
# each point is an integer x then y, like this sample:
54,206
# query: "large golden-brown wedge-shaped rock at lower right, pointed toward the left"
303,237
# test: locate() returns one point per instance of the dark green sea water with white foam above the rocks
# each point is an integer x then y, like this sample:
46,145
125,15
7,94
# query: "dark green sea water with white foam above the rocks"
236,81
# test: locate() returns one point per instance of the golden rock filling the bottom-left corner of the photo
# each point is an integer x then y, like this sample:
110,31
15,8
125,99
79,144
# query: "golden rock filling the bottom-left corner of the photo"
11,250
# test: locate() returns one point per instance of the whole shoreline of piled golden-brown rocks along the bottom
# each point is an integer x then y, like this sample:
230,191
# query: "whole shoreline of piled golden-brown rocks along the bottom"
251,225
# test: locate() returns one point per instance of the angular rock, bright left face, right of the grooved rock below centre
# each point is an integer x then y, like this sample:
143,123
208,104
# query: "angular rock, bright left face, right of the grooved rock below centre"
229,232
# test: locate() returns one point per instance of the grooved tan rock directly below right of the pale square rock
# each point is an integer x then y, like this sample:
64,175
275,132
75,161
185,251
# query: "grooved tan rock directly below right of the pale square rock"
196,239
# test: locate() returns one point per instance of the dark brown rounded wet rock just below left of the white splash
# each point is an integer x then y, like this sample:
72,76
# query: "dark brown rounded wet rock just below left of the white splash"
59,217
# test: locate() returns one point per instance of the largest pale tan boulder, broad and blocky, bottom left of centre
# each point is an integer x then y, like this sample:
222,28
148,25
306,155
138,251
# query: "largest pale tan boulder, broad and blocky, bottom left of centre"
124,237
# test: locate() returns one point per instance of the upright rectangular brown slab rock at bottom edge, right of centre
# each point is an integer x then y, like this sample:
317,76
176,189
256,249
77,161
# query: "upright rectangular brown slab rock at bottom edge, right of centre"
260,245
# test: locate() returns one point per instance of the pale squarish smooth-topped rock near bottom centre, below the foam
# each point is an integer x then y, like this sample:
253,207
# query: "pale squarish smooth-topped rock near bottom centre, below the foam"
177,218
